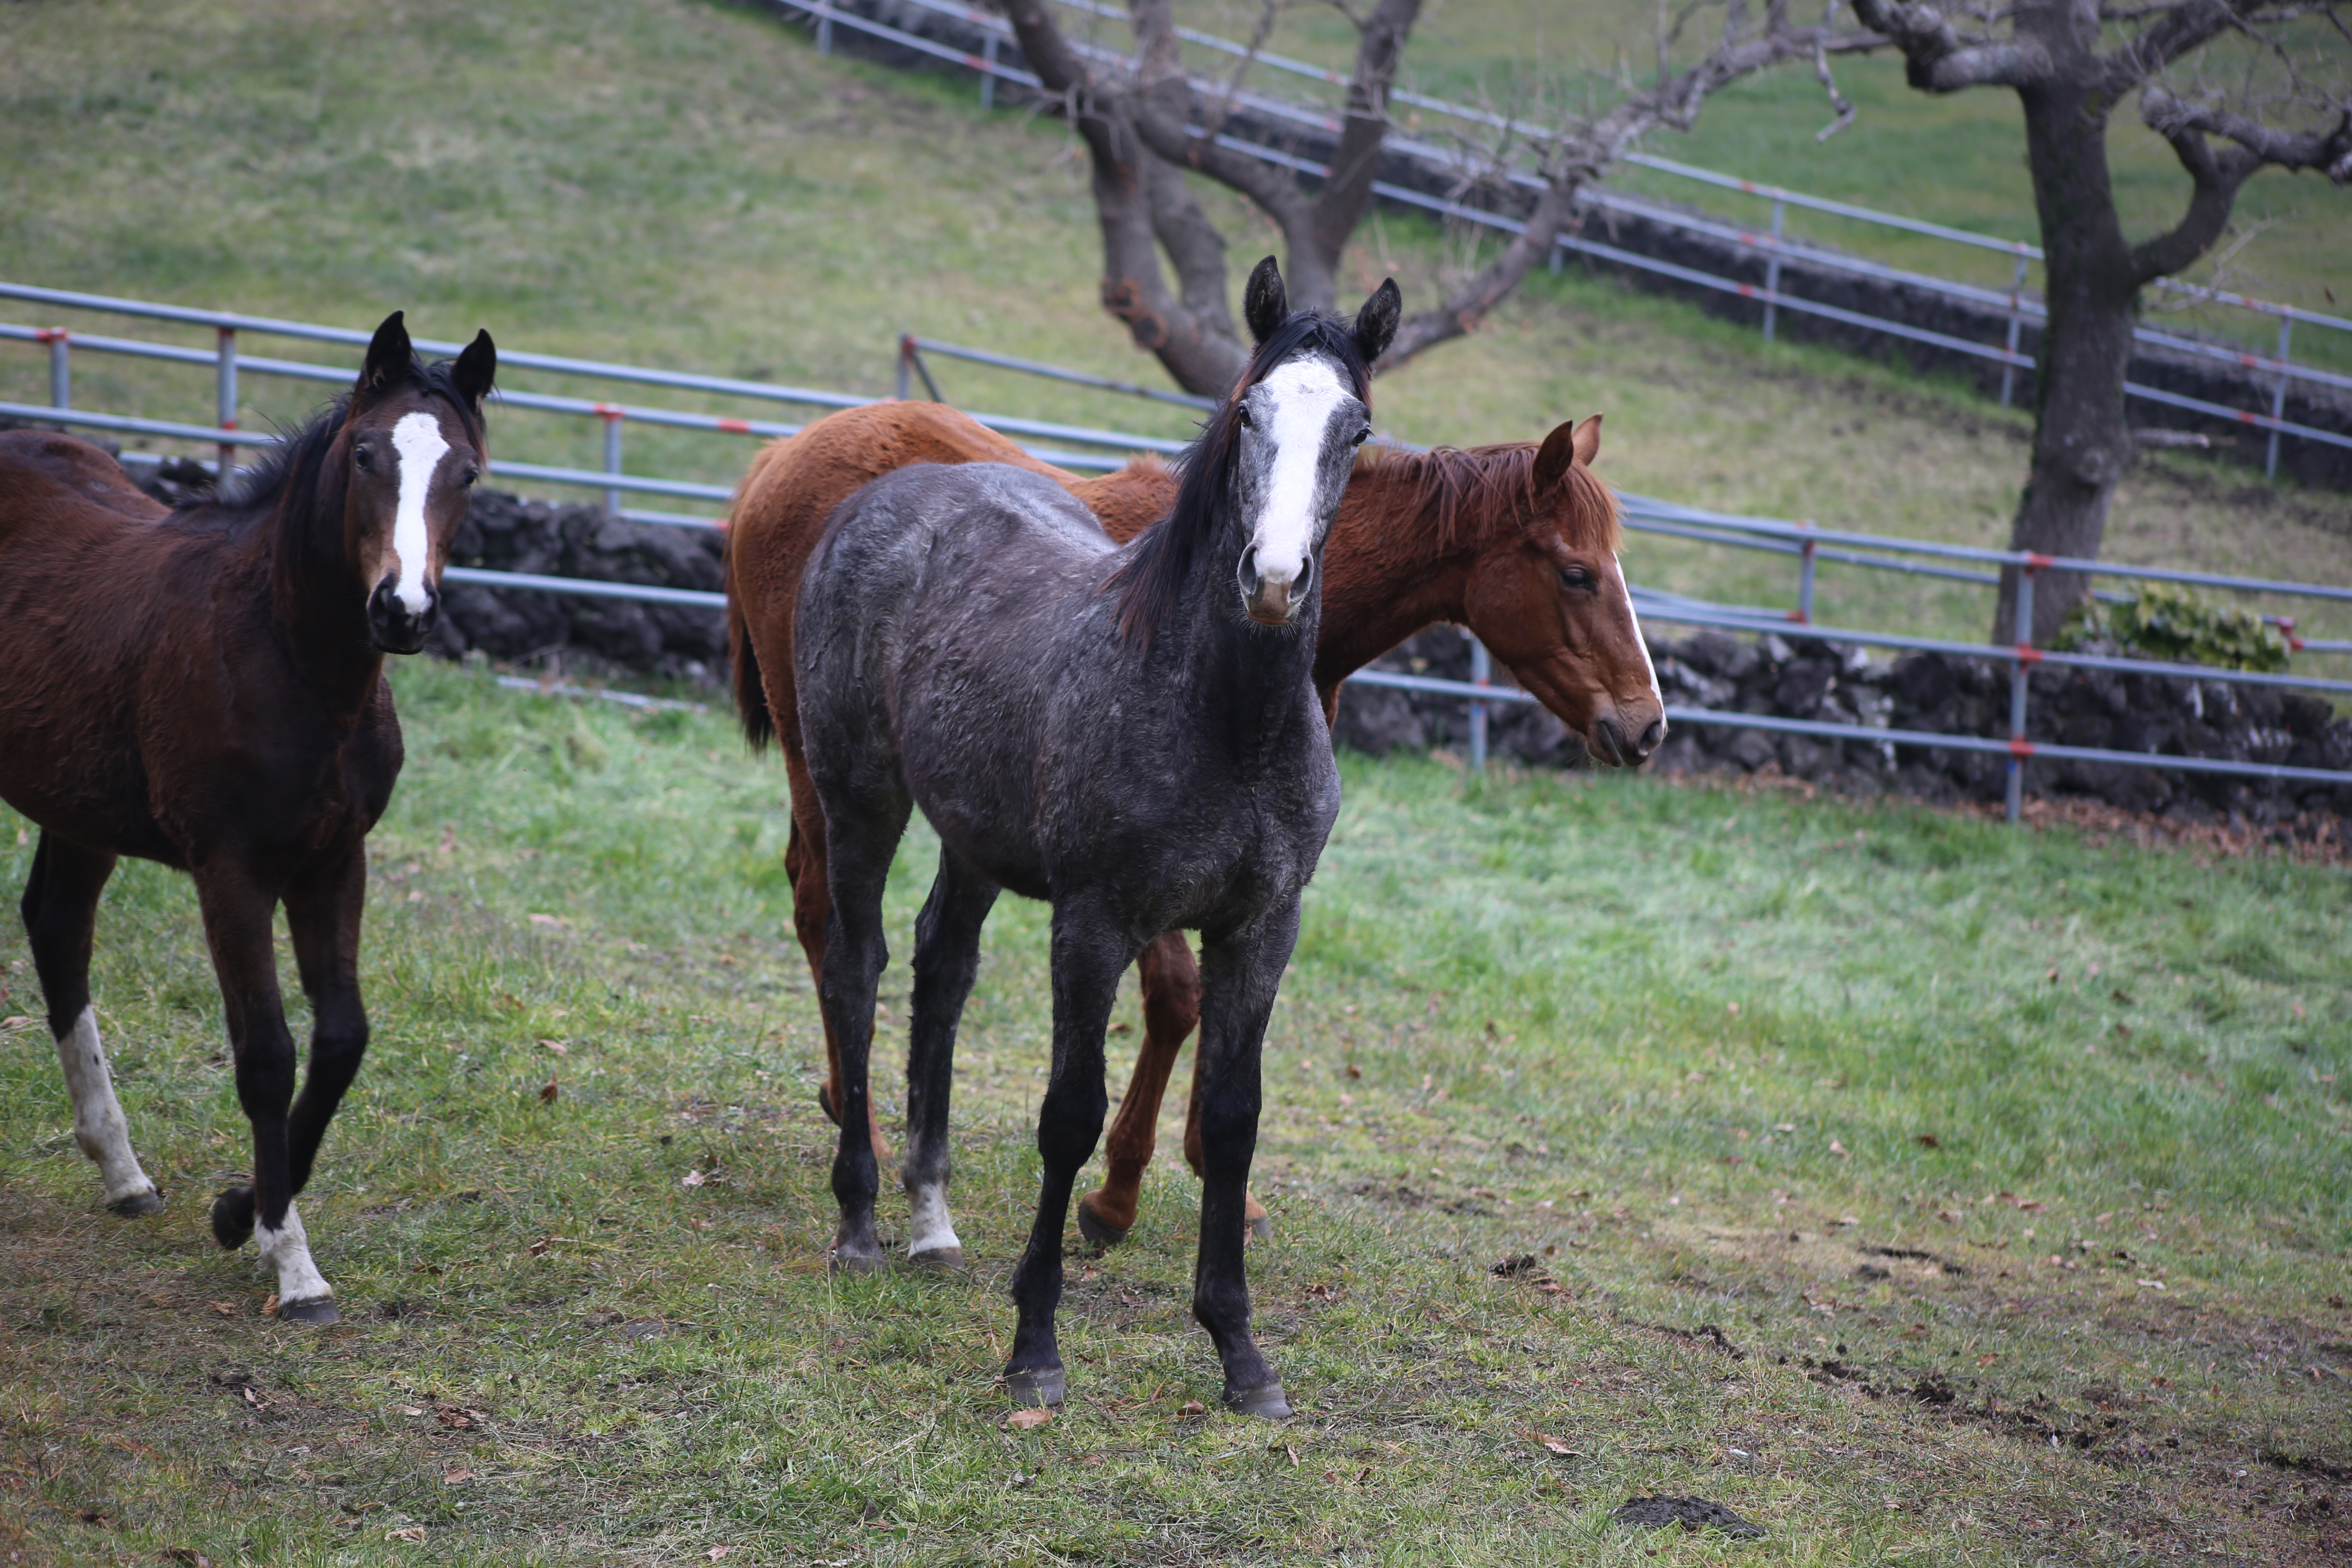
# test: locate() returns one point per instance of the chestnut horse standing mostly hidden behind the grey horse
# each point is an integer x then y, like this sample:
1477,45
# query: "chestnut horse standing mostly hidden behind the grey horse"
1516,542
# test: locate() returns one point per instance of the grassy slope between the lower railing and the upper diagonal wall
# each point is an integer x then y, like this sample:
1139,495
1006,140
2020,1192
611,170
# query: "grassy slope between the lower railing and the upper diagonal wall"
688,185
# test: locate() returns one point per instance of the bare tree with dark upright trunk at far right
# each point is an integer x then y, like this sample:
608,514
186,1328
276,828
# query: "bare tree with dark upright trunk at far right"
2073,62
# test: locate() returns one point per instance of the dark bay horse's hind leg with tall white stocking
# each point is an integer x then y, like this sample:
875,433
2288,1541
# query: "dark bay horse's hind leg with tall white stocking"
60,920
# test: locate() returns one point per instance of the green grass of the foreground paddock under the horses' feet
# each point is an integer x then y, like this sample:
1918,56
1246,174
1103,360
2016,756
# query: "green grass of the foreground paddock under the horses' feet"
1681,1045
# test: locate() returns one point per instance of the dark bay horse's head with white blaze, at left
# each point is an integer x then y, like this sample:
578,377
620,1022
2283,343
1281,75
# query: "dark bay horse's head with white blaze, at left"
410,453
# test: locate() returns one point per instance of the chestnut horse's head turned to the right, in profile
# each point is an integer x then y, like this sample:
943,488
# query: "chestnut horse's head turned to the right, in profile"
1551,603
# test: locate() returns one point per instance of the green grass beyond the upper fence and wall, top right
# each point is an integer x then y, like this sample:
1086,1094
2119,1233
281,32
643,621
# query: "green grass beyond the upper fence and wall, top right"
1765,130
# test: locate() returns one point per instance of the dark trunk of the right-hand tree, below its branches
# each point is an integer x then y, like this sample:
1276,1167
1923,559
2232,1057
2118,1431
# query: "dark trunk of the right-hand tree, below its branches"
2083,438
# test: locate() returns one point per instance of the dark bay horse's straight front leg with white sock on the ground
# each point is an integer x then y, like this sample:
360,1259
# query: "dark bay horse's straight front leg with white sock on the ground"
236,911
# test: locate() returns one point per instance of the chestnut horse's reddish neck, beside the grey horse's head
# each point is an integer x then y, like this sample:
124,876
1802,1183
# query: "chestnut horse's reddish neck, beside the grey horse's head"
1389,582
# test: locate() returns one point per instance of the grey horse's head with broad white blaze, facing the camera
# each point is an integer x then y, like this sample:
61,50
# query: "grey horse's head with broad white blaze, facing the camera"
1295,424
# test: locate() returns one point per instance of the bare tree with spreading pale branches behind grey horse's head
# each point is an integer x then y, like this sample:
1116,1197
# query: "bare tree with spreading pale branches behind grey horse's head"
1144,123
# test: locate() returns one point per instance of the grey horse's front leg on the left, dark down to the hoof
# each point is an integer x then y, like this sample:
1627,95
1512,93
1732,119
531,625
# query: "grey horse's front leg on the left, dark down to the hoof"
1090,953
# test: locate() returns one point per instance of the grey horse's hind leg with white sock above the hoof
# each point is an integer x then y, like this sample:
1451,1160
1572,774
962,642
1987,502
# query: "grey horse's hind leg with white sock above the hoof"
947,963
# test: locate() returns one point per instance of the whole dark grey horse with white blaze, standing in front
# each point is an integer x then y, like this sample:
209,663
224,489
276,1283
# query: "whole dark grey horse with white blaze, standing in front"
1130,735
